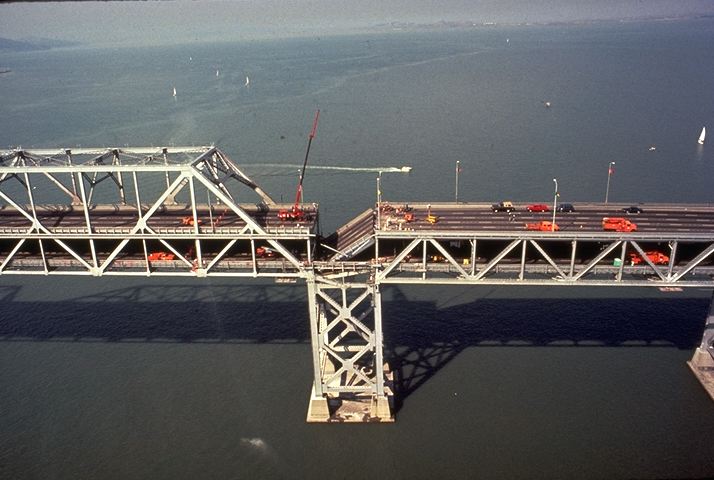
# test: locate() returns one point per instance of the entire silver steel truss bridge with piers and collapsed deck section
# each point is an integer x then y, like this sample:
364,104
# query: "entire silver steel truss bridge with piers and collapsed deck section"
192,211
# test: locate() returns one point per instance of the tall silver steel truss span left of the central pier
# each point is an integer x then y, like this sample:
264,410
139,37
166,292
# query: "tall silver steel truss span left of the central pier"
142,185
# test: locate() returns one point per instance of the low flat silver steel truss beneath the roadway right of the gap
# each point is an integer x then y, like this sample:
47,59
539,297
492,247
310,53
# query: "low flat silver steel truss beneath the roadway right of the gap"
529,259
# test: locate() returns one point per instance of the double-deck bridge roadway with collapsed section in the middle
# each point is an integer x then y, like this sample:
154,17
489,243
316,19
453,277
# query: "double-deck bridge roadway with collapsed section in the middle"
657,225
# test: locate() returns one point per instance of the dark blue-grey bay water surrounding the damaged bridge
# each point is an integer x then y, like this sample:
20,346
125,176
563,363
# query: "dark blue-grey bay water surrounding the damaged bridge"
210,378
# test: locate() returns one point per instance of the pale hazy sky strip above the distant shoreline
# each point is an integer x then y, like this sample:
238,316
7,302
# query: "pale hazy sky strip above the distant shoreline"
187,21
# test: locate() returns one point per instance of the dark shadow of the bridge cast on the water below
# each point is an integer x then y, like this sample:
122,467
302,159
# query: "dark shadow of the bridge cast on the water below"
421,337
